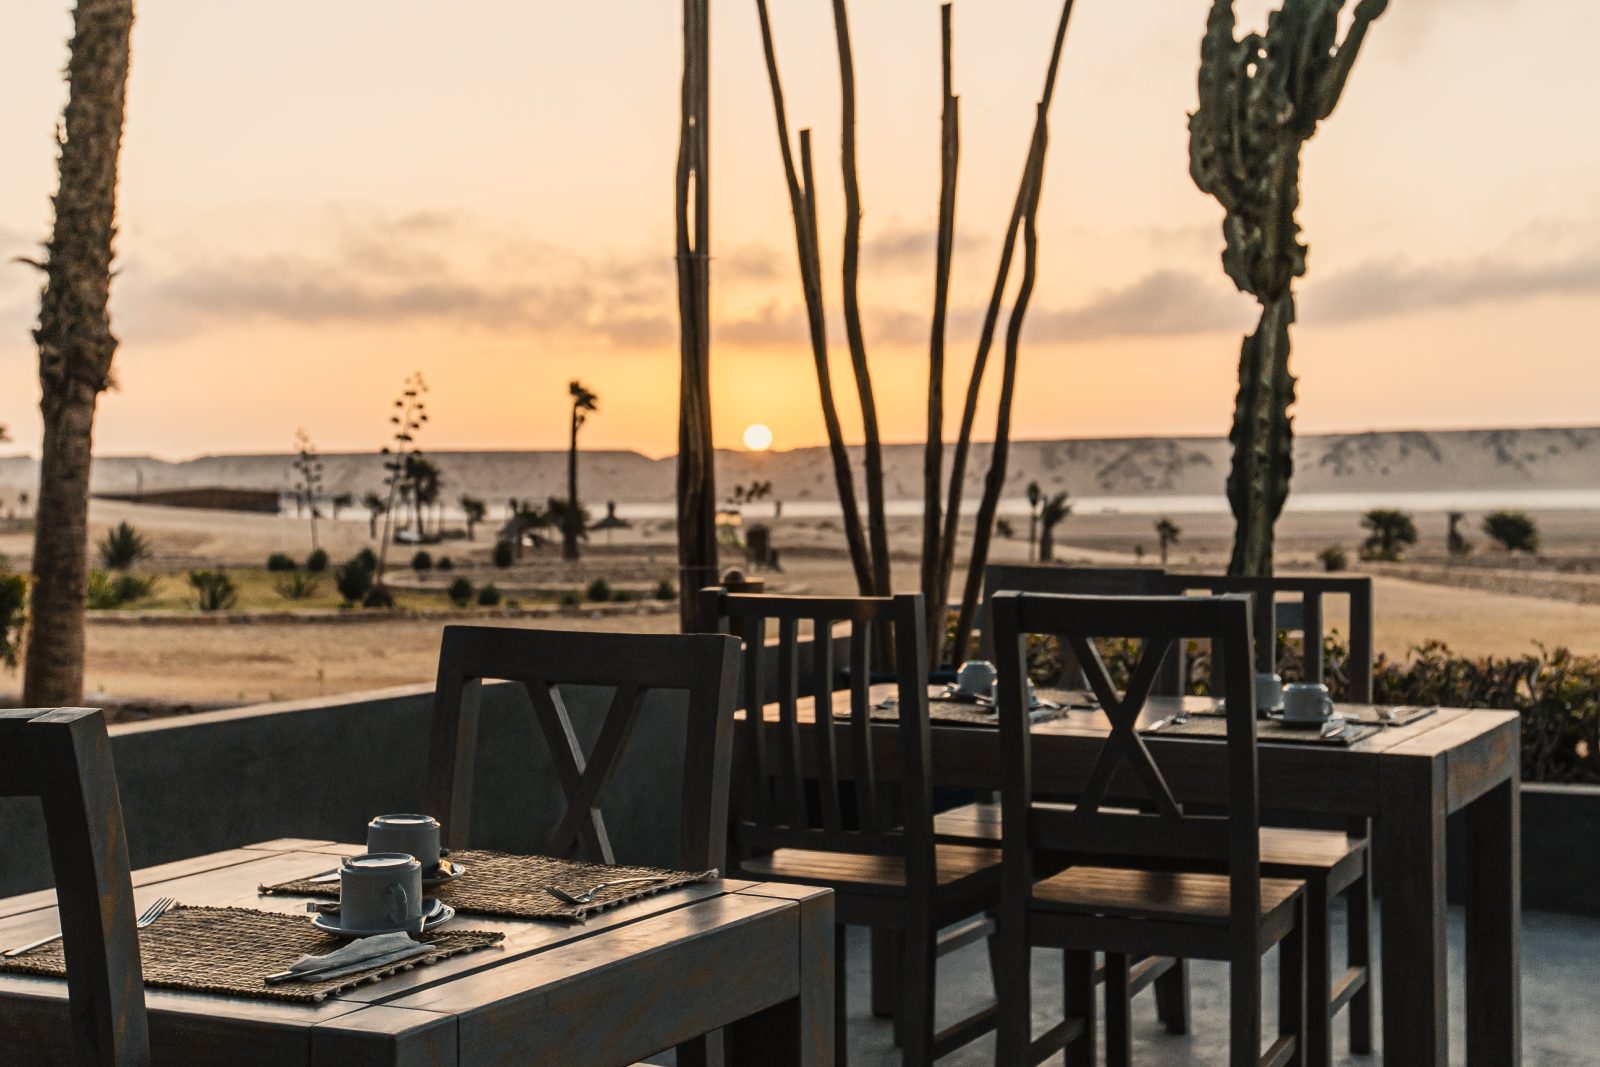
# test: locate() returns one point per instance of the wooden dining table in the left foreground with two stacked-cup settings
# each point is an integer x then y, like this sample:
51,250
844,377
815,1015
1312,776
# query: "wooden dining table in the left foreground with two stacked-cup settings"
753,959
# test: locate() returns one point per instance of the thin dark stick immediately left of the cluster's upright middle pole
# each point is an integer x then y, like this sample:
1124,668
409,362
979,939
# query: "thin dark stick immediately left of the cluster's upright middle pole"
873,447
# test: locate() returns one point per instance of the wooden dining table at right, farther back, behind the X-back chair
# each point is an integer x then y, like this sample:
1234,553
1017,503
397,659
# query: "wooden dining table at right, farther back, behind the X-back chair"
1407,780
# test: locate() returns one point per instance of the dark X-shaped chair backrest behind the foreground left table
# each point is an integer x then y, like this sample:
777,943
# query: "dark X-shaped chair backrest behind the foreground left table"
633,665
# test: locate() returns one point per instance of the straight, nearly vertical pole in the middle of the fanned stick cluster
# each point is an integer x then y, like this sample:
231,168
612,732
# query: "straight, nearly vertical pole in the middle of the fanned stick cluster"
934,450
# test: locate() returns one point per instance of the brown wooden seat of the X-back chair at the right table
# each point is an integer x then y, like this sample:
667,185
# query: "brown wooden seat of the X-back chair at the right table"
1153,895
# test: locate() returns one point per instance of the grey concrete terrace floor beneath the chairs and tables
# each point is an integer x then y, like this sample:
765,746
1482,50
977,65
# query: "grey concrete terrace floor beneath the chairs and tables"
1561,978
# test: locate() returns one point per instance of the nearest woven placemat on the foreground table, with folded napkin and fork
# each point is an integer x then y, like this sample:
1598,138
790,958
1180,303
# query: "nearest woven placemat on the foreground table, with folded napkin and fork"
233,949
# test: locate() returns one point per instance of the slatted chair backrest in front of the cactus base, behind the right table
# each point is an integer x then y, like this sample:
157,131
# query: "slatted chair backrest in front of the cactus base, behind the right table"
1298,607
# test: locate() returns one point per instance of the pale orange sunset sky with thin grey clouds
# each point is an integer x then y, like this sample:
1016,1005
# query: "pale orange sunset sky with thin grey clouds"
319,199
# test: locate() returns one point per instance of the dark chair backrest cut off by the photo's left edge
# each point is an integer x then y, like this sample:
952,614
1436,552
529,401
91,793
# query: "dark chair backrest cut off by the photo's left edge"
63,757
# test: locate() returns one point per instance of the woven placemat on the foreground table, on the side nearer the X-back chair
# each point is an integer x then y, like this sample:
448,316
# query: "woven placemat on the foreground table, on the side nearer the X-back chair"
514,887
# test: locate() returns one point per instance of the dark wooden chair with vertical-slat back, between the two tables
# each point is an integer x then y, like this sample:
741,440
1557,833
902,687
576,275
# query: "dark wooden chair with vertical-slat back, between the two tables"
882,865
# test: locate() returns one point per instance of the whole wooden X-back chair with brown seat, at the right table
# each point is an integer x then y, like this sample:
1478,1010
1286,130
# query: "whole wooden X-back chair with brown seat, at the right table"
1215,906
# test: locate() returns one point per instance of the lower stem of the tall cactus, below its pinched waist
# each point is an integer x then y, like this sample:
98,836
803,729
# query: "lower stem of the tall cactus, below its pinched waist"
1263,439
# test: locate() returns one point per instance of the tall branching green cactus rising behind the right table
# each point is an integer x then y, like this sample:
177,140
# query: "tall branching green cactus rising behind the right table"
1262,98
